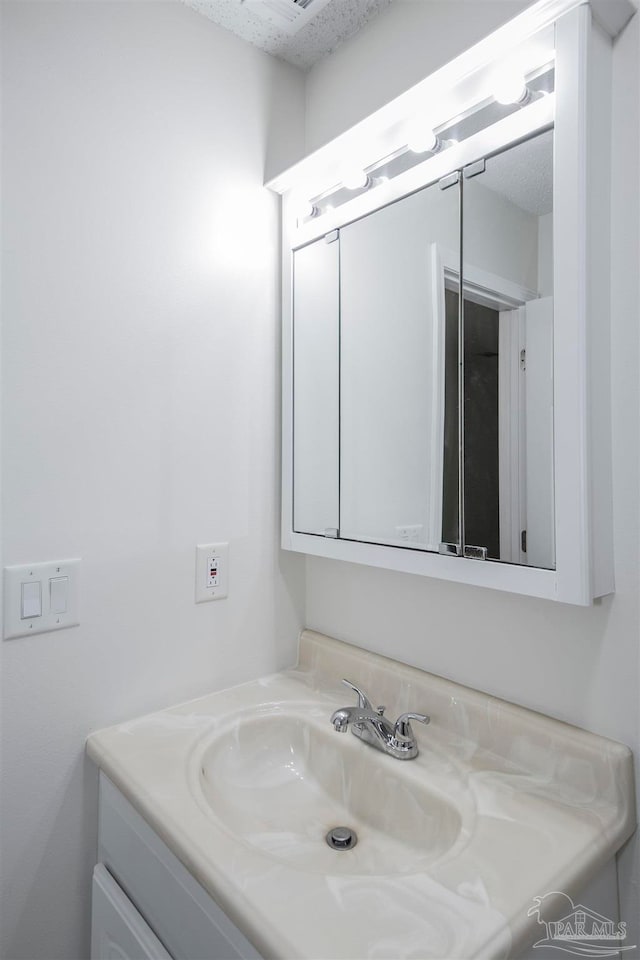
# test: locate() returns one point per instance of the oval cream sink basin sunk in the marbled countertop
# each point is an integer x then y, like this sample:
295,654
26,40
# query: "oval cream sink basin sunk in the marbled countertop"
280,781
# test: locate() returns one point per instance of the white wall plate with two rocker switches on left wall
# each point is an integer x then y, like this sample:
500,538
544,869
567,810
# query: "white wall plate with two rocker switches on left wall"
17,625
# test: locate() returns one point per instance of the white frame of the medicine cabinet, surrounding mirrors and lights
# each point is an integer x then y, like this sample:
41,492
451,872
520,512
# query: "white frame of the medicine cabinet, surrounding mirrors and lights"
580,111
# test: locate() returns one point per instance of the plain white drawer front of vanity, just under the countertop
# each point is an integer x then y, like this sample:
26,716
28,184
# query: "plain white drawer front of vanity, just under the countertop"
185,918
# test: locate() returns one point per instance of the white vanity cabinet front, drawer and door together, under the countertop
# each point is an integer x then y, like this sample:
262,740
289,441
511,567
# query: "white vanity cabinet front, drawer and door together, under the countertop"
145,904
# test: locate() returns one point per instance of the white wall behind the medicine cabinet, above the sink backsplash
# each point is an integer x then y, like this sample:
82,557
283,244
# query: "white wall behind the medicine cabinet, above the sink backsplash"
578,664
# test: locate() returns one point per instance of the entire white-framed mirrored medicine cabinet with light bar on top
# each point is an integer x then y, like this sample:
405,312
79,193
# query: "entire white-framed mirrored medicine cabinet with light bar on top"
445,353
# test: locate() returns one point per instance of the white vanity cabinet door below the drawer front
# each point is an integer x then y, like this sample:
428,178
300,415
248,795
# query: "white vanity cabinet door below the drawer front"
118,932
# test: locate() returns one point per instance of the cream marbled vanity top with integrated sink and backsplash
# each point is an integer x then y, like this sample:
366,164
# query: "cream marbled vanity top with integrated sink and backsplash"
501,806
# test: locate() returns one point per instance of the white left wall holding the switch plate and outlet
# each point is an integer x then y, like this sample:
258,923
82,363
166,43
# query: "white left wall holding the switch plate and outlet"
141,400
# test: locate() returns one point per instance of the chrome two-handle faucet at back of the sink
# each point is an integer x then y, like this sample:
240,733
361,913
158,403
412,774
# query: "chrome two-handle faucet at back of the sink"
370,724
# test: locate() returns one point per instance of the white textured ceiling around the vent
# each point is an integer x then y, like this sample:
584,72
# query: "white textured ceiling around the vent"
333,24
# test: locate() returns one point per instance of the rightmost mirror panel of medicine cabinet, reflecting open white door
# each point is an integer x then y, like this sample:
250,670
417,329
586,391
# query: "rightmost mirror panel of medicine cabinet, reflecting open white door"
508,358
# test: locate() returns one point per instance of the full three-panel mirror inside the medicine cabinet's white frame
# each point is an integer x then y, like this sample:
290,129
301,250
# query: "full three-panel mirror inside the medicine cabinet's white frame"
421,419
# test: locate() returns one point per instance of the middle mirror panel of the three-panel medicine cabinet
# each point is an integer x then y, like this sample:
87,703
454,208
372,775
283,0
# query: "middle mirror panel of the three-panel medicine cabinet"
392,369
